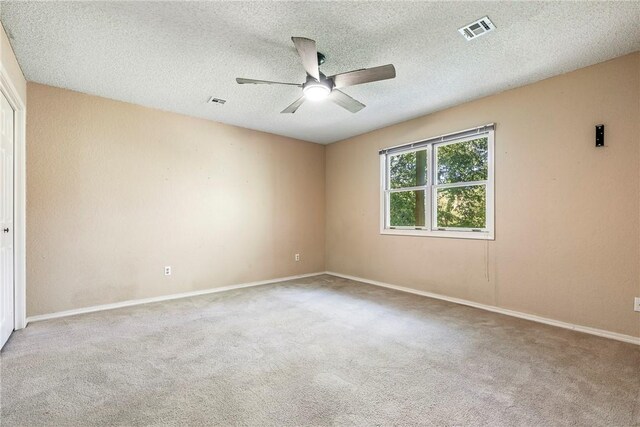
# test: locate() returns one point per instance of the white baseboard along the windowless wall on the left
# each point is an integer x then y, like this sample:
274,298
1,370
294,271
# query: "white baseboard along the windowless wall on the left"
129,303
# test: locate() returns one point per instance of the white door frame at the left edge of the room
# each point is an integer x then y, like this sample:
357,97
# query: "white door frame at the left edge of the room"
19,106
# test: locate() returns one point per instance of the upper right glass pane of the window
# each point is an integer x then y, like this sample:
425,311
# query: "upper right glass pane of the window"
463,162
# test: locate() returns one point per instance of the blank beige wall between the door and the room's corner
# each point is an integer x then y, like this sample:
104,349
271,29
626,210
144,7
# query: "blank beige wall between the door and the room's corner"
116,191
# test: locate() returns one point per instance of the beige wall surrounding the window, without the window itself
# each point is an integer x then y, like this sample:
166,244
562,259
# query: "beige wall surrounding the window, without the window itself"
567,241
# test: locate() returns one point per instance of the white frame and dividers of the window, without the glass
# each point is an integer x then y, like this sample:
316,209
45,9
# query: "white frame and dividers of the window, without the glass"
430,189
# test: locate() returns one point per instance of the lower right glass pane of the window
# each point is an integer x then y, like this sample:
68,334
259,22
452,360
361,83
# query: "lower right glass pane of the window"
463,207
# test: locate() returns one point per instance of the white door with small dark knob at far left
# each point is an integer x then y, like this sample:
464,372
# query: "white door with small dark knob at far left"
6,221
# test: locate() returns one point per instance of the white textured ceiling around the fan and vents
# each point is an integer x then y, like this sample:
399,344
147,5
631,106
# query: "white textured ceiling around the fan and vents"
174,55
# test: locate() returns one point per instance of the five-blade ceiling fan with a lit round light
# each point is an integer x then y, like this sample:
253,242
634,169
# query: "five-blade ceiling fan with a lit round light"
318,86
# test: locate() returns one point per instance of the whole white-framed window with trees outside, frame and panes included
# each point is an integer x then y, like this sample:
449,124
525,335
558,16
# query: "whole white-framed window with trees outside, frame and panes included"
440,187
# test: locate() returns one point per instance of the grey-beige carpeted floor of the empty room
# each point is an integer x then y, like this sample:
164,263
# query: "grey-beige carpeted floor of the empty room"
316,351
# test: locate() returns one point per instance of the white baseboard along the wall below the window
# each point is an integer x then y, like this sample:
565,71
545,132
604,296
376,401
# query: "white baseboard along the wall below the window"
532,317
